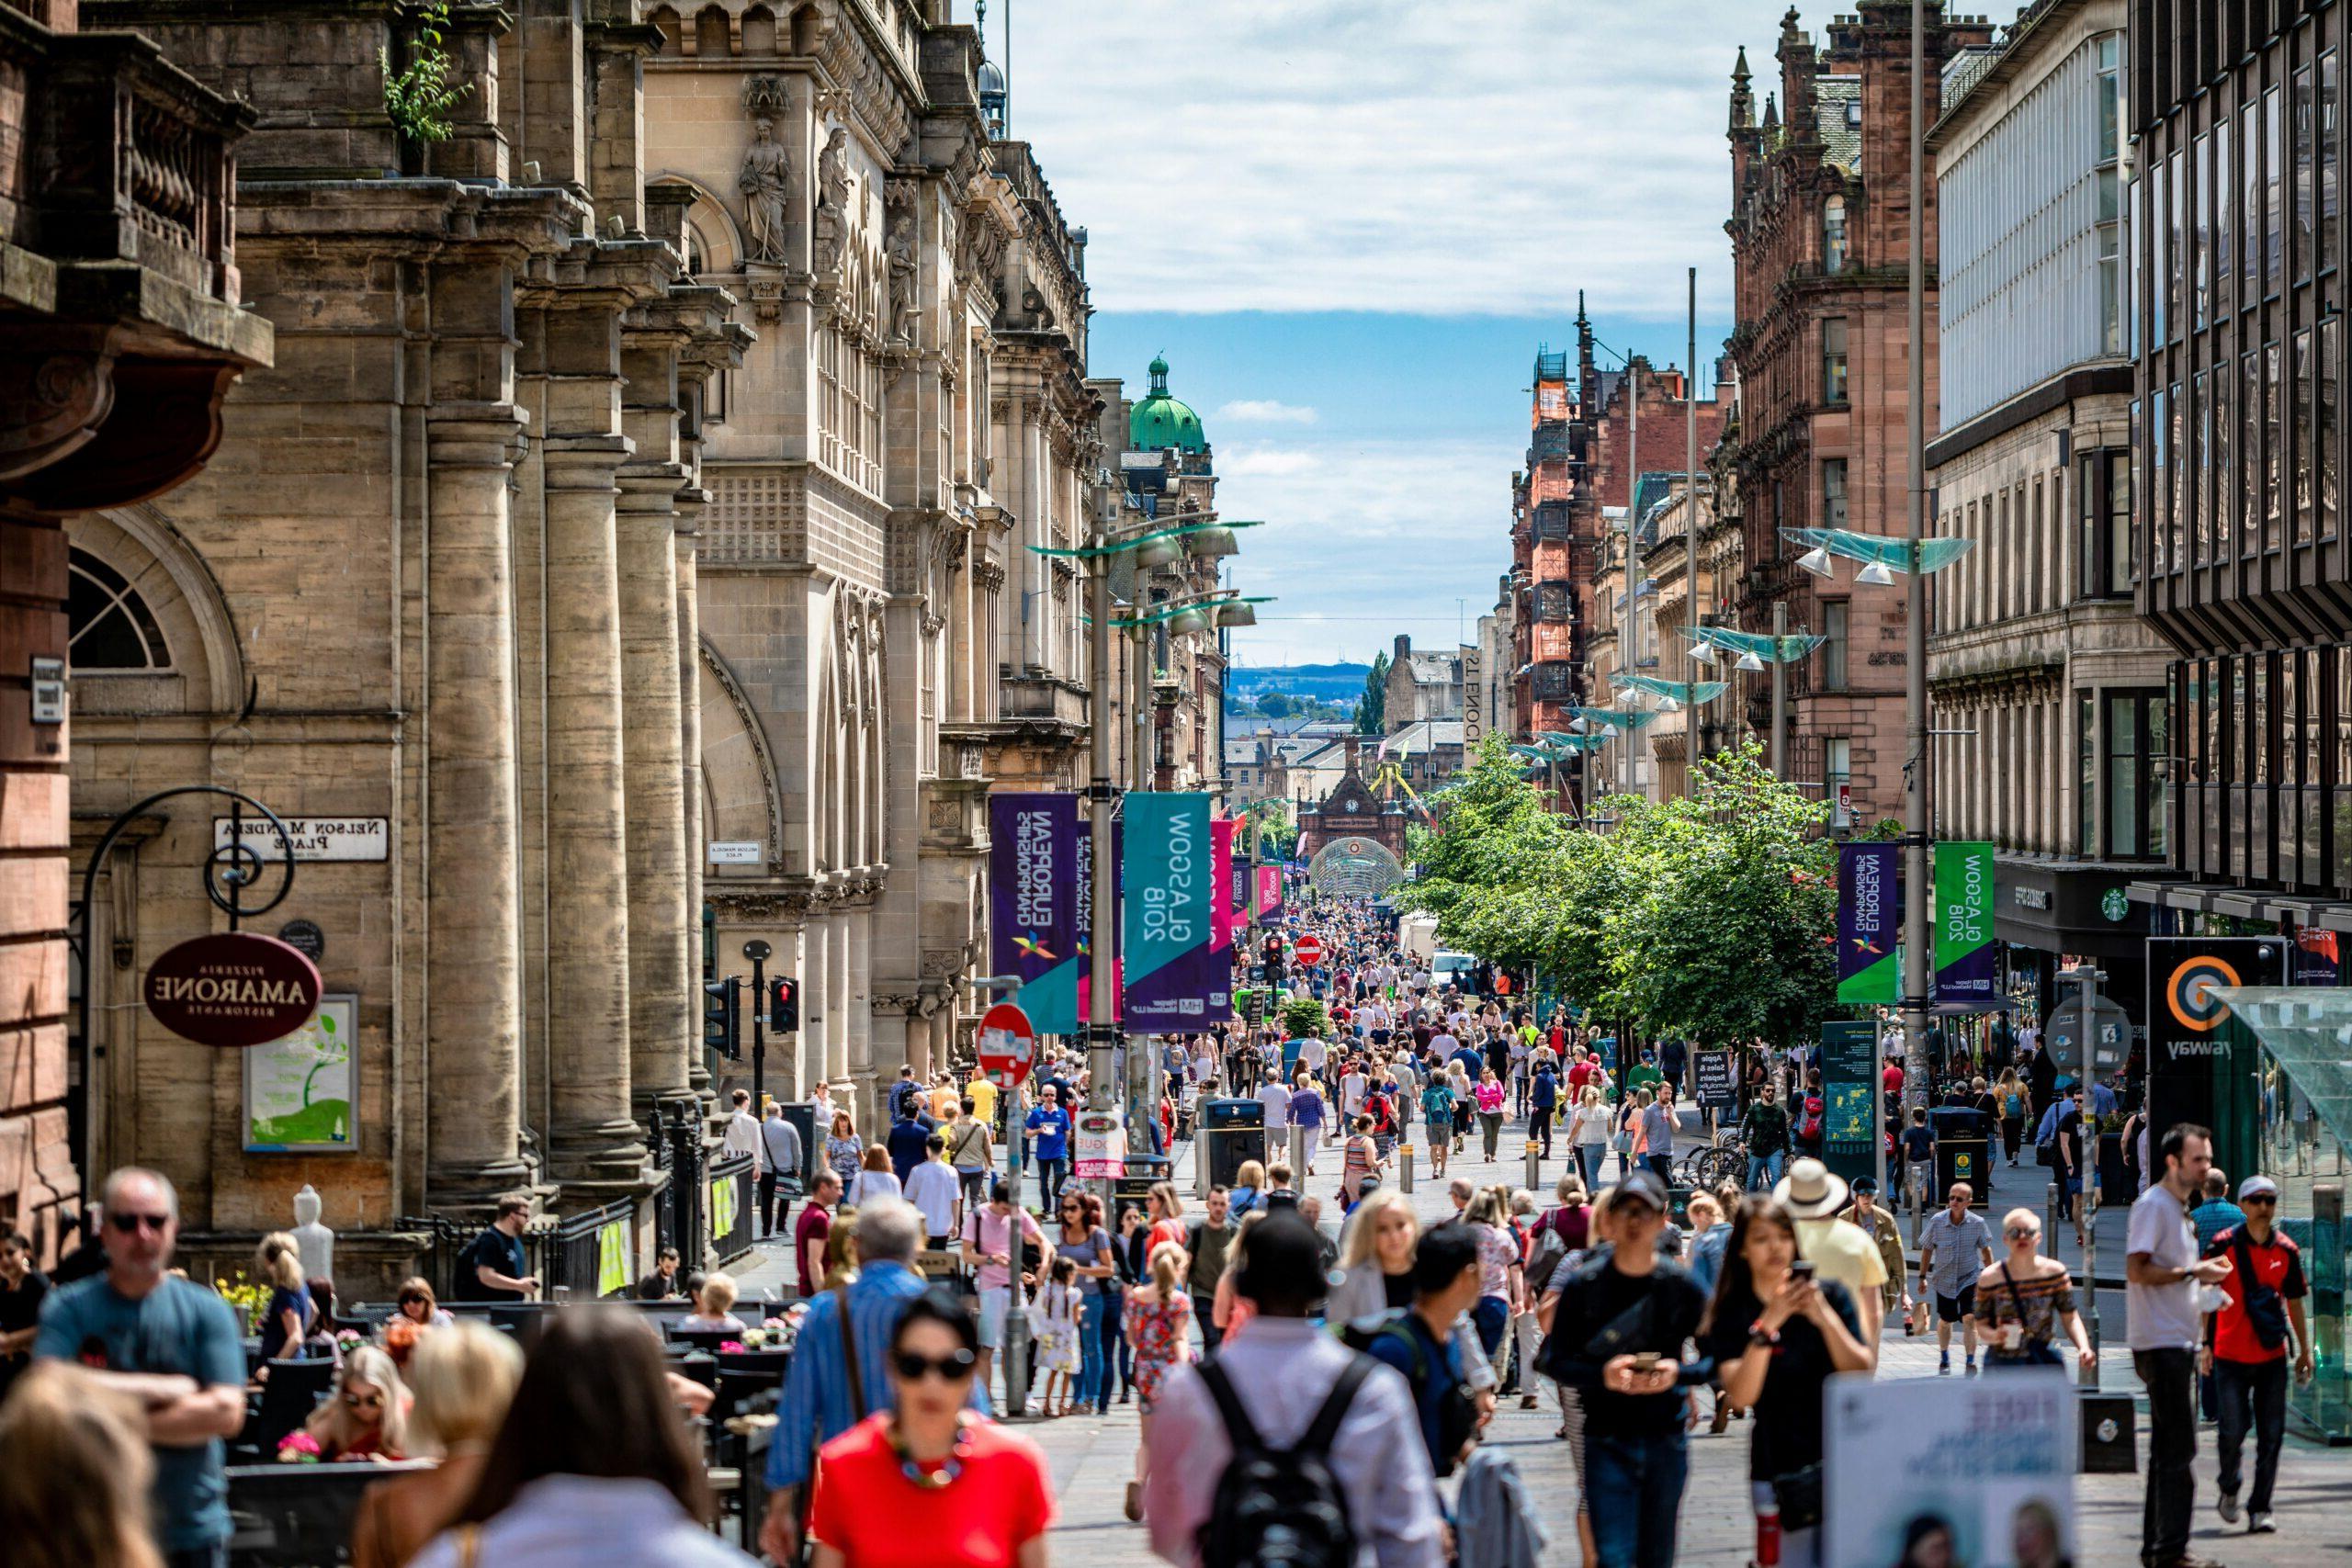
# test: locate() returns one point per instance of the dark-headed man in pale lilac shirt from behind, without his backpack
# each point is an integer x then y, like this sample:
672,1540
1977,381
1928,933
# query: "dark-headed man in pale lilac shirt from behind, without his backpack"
1281,1372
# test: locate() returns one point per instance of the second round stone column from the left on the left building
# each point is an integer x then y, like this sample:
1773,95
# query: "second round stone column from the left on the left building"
596,1137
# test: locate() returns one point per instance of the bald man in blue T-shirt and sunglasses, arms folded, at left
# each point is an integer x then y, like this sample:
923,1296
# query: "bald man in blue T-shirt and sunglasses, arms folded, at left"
173,1348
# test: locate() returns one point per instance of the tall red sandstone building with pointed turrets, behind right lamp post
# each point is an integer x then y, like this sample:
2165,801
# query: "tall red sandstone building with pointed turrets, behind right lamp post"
1822,262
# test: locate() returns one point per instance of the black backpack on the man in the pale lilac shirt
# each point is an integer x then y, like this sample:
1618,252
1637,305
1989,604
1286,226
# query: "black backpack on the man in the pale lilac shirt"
1281,1508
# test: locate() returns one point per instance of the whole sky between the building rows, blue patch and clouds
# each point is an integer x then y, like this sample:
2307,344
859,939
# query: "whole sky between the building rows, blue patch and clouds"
1349,225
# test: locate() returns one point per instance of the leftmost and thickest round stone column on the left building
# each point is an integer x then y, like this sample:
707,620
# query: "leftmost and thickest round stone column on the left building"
474,939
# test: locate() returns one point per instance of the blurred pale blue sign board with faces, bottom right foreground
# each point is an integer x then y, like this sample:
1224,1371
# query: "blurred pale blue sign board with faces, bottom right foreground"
1951,1470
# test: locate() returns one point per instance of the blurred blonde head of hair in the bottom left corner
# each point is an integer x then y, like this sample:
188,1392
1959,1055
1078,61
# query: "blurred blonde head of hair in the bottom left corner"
74,1473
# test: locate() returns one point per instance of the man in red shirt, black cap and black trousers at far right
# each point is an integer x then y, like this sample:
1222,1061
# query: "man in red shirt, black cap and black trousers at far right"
2247,1346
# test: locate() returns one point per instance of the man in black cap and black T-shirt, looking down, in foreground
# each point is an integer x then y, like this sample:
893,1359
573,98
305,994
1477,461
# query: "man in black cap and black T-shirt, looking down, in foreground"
1617,1341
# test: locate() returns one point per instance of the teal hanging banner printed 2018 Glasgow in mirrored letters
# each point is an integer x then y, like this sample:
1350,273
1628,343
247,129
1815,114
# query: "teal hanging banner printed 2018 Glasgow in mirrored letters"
1175,979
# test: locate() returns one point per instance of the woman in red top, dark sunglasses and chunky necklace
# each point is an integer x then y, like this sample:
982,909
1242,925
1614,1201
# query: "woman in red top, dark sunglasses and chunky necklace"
930,1485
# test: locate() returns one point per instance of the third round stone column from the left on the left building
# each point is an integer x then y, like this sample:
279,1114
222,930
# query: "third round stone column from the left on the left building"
662,923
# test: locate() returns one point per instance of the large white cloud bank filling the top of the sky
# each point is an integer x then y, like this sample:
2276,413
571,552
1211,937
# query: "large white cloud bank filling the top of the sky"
1488,156
